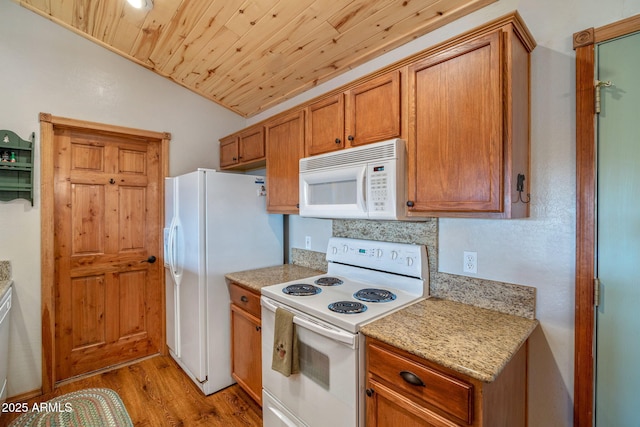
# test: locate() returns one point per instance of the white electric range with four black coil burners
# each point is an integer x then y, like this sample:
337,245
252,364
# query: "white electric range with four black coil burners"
365,280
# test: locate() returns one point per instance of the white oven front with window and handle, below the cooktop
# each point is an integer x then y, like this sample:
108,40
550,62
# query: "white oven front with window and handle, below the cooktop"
325,392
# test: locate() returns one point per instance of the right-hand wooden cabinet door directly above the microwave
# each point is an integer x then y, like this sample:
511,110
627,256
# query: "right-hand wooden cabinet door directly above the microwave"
373,110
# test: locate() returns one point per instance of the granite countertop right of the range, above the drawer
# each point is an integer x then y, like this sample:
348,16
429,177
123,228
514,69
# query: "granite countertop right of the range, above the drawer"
474,341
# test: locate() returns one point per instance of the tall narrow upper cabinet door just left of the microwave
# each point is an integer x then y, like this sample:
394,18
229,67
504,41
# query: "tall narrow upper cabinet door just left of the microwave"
285,147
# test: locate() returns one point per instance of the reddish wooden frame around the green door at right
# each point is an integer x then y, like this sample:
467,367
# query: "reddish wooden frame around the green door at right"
584,376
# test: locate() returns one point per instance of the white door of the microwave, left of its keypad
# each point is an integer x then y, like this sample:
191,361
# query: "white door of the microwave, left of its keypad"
334,193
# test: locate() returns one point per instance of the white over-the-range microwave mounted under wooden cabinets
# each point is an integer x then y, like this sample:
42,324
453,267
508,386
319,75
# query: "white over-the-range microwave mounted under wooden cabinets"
366,182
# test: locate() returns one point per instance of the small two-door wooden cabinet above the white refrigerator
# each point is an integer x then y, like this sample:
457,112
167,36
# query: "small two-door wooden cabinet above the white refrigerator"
243,150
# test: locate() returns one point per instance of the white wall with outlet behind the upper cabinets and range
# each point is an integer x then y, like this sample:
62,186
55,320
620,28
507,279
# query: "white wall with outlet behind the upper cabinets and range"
538,251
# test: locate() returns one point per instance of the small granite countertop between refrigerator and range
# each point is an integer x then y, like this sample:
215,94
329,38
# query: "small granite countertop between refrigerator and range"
258,278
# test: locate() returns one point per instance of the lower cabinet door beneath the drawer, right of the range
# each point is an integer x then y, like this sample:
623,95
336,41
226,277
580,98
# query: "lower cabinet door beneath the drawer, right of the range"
387,408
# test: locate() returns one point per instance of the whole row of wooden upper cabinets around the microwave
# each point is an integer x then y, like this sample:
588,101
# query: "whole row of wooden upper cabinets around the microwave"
462,106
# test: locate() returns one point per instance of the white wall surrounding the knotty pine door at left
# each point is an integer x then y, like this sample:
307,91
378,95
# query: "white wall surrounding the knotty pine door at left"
46,68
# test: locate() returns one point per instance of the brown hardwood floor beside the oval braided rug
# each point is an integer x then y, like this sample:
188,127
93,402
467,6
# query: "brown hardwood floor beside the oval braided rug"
156,392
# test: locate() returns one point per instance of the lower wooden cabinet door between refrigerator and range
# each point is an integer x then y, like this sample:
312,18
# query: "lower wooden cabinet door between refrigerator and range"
246,357
